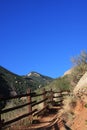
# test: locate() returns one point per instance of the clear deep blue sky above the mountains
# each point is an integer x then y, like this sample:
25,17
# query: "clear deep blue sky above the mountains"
41,35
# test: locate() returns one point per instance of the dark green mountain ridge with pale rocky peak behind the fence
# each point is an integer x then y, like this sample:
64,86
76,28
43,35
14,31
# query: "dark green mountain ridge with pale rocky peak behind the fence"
14,84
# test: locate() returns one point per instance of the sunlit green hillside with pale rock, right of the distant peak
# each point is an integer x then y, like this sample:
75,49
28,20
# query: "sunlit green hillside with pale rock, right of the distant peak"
70,80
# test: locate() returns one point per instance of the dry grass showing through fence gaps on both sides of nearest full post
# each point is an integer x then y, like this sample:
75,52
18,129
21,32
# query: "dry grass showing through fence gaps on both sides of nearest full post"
18,112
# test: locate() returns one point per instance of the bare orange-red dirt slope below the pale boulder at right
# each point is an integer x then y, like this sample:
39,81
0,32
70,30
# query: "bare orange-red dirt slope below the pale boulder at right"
80,118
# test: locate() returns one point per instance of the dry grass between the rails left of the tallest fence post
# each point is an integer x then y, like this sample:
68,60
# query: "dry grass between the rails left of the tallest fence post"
16,113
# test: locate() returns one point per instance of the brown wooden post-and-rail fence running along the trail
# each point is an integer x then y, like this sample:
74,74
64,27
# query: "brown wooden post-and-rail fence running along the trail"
47,99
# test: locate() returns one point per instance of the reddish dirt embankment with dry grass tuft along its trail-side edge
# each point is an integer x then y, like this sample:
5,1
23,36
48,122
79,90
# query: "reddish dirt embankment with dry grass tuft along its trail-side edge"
78,121
